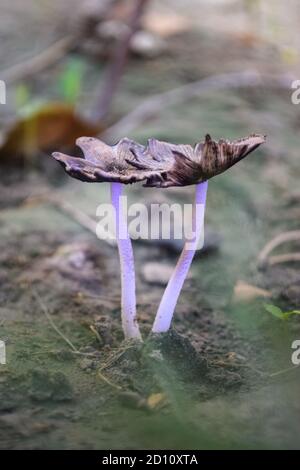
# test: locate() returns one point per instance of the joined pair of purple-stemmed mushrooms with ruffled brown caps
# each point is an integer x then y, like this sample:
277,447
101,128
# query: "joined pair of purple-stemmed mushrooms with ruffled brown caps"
159,164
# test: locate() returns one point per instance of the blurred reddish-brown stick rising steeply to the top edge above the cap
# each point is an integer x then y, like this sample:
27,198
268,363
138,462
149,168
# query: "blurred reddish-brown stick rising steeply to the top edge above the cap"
114,73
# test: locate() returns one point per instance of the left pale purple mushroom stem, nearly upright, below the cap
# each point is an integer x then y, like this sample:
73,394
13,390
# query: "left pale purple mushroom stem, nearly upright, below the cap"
128,307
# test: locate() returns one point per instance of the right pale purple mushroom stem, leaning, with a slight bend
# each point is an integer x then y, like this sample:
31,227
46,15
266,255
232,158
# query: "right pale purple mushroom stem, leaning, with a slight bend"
169,300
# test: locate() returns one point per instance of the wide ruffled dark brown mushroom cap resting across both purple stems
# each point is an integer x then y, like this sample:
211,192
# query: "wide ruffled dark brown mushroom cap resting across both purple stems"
159,164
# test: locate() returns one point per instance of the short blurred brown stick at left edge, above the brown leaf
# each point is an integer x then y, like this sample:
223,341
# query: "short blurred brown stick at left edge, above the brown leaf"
39,62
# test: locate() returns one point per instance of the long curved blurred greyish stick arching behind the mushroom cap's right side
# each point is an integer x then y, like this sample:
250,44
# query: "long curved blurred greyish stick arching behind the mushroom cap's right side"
153,105
